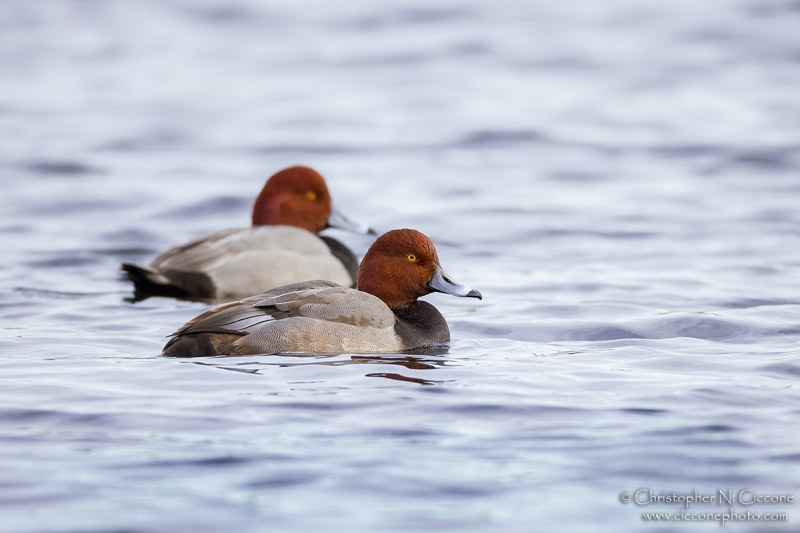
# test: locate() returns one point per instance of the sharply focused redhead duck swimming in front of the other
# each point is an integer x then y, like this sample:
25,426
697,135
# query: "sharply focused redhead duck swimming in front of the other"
320,316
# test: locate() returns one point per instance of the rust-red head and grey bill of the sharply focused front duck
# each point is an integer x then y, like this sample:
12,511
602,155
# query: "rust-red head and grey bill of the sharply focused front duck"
402,265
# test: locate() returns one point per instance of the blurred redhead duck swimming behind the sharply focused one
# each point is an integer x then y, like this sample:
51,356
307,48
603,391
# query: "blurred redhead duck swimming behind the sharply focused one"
282,246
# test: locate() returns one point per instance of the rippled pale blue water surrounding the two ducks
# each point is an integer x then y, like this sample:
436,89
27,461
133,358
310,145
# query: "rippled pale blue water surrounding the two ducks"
620,180
